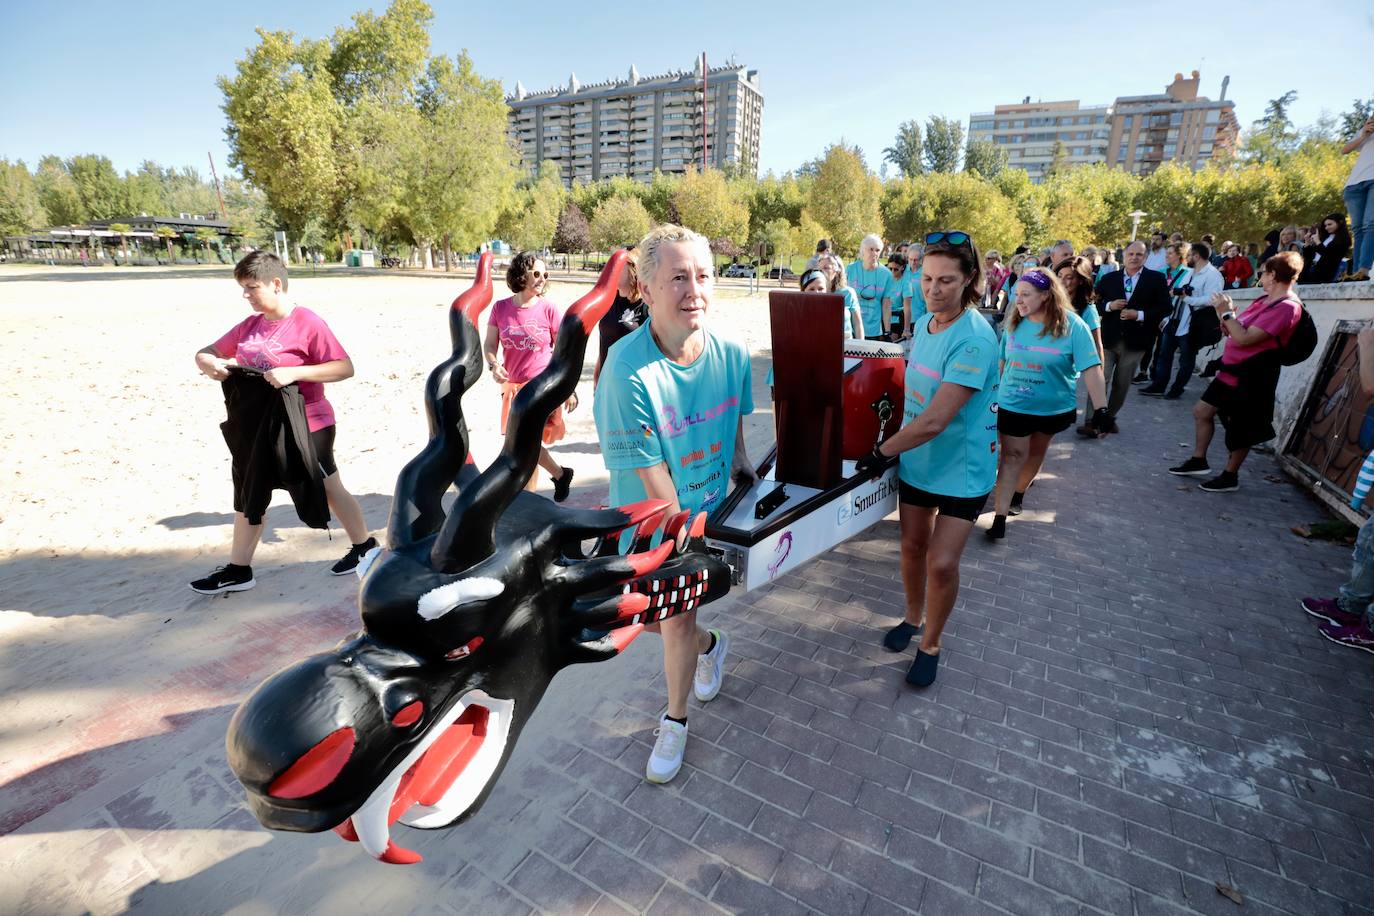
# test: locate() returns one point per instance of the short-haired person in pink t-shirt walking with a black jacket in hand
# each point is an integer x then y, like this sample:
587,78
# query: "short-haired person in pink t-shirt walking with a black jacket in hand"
291,345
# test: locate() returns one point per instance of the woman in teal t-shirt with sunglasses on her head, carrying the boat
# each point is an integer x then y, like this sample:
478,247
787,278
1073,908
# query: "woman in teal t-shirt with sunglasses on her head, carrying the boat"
949,444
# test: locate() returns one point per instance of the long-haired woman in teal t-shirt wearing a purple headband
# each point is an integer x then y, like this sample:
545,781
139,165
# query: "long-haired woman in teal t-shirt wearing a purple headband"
1045,350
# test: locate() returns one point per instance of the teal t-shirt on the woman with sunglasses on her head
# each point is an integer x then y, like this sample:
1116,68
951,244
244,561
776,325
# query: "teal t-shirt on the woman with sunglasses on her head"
964,459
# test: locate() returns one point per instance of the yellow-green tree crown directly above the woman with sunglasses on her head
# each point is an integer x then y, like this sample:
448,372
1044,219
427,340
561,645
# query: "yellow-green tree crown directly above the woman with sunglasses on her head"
913,208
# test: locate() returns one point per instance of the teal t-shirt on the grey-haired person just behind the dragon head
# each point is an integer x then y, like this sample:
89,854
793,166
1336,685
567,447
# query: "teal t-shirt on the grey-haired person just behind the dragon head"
651,410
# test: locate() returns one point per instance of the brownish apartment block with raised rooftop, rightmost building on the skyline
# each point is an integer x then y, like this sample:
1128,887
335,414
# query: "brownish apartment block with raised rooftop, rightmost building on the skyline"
1178,126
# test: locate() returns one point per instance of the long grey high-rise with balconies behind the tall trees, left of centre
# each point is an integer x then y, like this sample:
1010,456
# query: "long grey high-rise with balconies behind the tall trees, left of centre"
641,126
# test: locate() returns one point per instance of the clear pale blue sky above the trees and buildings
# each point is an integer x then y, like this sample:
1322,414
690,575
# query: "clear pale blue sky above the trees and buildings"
138,83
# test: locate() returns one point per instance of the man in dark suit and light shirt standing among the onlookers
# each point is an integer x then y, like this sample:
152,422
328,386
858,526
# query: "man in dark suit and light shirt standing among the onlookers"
1133,301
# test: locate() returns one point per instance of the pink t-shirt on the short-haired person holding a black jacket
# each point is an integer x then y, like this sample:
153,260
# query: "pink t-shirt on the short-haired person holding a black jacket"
302,339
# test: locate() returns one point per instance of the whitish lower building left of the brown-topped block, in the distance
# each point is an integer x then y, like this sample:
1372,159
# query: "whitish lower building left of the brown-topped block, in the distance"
1035,133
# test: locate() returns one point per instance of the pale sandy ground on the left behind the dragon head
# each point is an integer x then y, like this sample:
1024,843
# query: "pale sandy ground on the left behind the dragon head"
117,492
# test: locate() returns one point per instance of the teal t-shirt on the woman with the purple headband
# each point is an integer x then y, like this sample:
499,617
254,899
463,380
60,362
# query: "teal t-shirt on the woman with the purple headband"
1041,374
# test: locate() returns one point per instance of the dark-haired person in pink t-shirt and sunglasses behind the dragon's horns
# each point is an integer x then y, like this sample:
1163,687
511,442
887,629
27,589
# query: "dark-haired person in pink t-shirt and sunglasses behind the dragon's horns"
524,330
